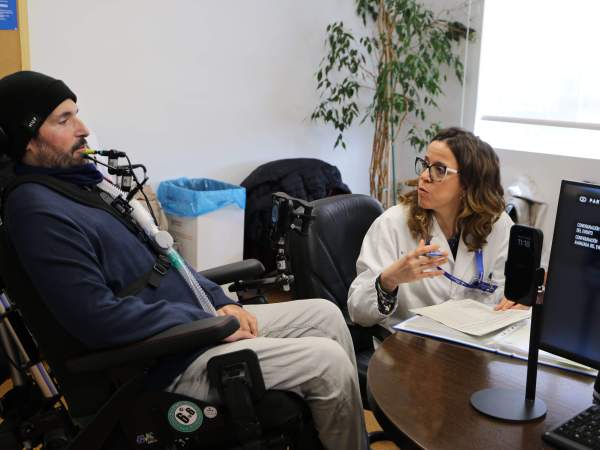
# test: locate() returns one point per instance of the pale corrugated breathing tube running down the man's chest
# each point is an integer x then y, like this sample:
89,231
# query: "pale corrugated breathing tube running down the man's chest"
164,241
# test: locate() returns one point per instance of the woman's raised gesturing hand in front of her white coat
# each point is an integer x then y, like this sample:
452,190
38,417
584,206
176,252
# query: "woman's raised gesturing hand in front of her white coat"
414,266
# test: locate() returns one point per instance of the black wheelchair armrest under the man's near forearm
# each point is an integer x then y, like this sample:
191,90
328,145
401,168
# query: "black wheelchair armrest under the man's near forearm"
177,339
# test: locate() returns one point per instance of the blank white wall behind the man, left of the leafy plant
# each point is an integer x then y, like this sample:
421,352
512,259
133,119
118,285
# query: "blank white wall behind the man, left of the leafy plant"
198,88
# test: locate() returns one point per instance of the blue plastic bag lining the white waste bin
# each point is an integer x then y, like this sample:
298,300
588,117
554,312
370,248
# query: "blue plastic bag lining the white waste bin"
193,197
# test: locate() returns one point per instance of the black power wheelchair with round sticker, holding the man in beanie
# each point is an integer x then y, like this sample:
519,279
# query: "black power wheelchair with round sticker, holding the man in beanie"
102,400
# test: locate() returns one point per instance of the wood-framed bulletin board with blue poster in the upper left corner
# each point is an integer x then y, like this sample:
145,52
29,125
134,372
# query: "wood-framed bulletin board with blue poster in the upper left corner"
14,36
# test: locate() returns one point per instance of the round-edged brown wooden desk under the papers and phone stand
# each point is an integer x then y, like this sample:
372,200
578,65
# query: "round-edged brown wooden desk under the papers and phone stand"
419,391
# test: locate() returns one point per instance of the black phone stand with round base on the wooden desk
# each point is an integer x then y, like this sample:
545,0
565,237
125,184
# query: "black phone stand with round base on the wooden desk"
509,404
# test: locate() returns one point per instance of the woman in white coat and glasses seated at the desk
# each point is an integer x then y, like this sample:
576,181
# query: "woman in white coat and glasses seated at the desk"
448,239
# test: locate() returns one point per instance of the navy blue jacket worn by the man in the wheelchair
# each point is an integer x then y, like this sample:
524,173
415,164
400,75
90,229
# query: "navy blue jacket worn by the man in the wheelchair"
78,257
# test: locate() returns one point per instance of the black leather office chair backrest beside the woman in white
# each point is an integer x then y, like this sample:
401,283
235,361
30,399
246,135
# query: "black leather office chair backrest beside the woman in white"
324,261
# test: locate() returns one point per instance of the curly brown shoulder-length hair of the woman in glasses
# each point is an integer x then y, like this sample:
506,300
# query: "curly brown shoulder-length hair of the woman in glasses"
483,202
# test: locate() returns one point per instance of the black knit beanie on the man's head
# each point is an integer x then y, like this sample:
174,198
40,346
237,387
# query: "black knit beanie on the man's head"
26,100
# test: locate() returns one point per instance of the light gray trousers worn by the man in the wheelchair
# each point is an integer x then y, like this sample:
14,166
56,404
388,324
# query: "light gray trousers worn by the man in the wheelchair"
304,347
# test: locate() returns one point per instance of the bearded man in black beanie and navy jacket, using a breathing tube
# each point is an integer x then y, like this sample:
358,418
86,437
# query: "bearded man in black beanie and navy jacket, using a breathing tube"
110,279
